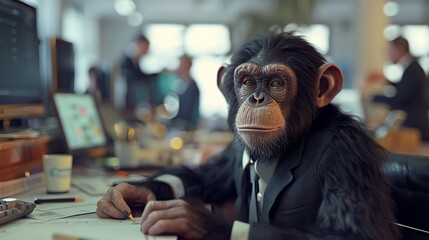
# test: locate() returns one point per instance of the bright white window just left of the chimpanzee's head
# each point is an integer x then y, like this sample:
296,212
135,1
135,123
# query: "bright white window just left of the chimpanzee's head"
208,44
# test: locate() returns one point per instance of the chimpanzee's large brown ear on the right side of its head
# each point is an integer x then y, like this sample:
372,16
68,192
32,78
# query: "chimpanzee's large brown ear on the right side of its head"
329,84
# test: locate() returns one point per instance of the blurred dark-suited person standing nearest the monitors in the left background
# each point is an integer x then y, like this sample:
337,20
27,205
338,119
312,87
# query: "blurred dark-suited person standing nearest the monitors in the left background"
141,87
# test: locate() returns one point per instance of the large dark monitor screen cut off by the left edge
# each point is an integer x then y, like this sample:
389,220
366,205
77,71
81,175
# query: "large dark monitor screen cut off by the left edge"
21,93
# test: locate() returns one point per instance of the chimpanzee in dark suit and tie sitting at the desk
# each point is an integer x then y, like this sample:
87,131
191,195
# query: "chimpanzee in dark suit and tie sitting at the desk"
298,168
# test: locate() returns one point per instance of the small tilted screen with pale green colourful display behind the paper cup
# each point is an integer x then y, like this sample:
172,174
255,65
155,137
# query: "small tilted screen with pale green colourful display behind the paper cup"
80,121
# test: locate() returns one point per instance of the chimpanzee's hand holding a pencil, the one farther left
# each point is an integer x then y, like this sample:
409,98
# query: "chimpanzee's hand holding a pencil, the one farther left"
115,203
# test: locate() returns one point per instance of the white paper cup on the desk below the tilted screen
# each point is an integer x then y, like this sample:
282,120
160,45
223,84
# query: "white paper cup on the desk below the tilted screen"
57,168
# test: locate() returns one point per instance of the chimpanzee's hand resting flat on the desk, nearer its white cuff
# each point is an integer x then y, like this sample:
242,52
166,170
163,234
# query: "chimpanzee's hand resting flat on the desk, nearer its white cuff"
188,219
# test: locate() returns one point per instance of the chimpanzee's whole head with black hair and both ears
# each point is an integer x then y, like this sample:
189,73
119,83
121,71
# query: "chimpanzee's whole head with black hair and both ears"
274,86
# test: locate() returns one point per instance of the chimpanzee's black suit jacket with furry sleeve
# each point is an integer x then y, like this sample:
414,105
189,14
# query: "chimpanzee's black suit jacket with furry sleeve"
331,186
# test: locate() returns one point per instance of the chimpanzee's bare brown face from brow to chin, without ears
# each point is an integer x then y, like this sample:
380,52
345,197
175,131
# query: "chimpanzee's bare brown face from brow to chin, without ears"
265,94
